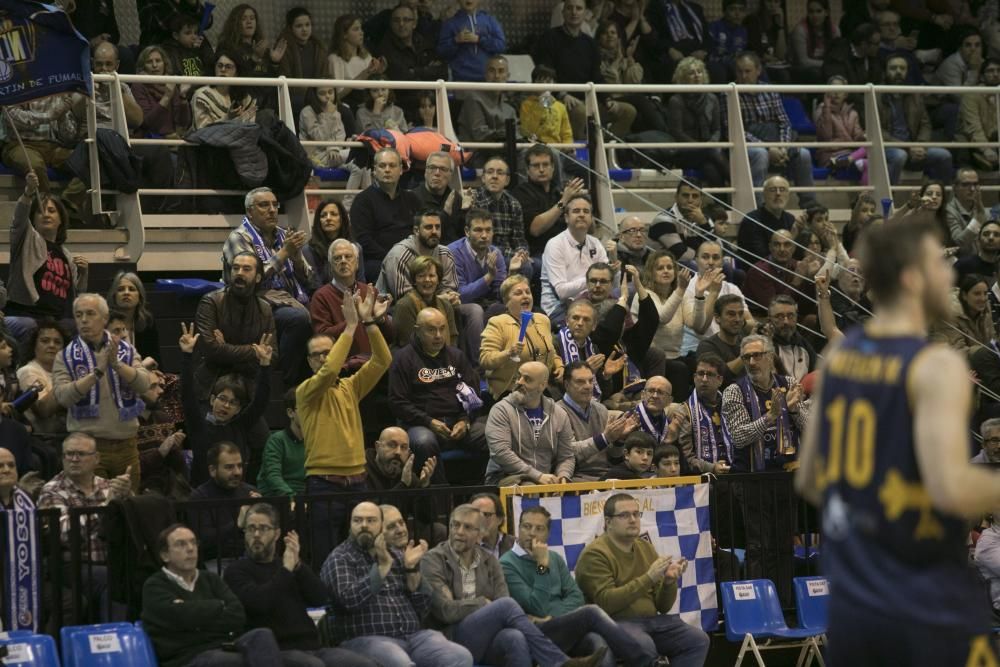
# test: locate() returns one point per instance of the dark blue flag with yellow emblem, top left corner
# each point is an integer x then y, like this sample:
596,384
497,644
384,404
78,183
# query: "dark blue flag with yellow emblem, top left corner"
27,31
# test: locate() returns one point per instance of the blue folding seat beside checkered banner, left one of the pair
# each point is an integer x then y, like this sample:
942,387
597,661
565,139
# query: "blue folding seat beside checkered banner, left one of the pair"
753,612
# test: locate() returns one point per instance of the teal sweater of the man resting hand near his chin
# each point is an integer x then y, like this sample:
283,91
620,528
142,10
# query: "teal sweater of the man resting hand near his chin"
551,594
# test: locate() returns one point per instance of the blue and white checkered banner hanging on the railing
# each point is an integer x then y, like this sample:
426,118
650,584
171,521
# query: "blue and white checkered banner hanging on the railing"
675,520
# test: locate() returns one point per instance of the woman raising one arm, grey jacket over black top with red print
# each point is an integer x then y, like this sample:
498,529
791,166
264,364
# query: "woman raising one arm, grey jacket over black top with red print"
44,277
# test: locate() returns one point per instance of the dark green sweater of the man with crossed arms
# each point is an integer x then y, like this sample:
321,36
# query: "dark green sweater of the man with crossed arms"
182,623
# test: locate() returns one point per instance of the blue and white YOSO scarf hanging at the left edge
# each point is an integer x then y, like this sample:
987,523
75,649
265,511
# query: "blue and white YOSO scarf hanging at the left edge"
22,564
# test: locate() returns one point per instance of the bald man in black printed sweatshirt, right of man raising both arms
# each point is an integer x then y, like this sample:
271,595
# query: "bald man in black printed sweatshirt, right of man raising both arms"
434,391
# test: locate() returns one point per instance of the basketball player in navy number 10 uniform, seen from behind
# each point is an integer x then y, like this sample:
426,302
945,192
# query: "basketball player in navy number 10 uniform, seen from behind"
886,456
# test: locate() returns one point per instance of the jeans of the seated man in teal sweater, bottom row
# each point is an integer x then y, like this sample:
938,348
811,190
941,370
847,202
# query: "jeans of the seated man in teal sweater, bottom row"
584,630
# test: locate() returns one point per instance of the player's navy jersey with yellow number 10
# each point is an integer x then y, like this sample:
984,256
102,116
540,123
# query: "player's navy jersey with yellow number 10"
884,546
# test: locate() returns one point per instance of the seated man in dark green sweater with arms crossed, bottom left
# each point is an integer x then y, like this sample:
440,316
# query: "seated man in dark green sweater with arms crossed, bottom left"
193,618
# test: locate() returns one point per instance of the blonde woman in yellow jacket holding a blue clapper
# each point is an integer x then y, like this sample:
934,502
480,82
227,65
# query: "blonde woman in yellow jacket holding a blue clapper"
501,353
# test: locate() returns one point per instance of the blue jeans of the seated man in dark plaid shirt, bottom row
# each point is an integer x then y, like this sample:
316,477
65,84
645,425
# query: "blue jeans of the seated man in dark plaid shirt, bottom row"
424,648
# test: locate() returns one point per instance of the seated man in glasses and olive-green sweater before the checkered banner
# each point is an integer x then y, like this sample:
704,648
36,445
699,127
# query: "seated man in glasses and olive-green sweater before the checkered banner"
624,576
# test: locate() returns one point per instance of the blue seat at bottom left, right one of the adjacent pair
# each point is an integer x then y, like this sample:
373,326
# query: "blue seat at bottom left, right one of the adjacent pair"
106,645
